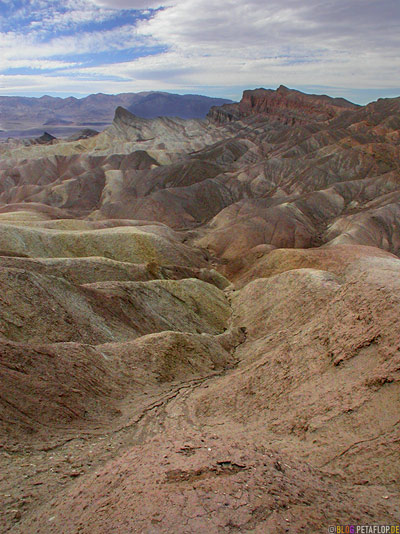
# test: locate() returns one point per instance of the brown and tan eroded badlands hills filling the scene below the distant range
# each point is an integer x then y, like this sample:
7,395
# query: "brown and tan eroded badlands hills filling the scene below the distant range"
199,322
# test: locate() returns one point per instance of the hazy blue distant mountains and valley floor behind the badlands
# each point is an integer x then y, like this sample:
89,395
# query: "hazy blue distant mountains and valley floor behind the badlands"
24,116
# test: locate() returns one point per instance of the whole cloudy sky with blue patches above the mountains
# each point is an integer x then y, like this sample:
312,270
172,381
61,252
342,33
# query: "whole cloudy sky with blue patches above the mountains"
348,48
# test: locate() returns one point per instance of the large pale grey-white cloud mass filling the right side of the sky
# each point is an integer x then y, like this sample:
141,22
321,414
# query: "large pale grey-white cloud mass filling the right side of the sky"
337,43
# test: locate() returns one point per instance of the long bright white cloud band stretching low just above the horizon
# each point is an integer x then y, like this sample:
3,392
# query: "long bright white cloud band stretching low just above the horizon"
184,71
